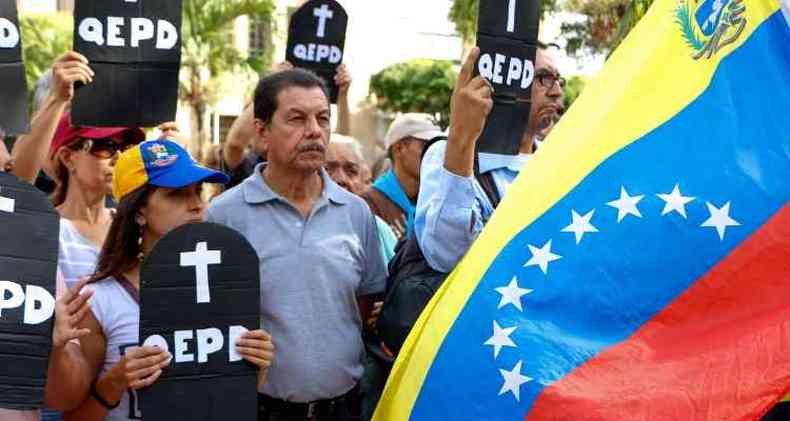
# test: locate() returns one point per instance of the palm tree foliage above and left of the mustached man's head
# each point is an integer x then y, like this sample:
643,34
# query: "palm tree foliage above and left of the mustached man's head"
207,52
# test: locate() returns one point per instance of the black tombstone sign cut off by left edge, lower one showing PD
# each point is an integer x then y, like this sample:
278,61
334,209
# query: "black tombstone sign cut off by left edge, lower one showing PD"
29,232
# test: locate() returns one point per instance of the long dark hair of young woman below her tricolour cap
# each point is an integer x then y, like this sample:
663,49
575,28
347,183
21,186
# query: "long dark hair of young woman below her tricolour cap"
120,251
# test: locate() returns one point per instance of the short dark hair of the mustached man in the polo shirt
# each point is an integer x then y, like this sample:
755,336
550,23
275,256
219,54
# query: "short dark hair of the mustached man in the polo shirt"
270,87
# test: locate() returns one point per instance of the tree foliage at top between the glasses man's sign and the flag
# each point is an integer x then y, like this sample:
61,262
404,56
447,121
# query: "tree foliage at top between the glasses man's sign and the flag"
604,25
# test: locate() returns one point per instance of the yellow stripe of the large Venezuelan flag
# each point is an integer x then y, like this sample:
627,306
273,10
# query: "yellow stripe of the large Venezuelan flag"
647,81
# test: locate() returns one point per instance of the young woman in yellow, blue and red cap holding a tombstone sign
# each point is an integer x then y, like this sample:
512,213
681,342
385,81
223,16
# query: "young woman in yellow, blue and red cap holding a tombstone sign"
159,188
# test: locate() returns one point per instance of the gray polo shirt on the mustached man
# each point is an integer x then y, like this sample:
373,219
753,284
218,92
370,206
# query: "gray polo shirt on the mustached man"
312,271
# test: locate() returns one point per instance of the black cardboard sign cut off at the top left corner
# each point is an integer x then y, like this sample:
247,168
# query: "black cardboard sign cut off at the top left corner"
13,86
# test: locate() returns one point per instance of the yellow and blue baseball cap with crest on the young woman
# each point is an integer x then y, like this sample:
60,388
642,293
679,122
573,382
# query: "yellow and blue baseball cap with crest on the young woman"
160,163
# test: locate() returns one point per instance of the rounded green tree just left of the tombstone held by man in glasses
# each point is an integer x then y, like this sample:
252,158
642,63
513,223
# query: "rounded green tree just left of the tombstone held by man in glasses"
420,86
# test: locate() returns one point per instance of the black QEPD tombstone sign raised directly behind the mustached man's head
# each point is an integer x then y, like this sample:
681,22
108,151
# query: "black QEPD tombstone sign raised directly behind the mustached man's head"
317,40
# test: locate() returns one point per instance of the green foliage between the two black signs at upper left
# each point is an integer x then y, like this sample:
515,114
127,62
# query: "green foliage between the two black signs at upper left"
45,37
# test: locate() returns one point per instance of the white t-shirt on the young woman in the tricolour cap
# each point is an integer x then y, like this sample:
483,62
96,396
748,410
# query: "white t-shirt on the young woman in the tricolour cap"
118,314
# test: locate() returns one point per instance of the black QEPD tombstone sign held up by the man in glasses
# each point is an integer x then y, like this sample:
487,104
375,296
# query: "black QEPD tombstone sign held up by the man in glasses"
507,35
